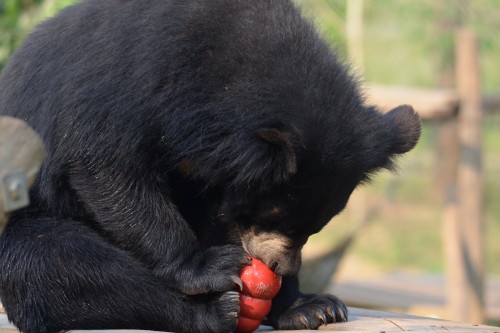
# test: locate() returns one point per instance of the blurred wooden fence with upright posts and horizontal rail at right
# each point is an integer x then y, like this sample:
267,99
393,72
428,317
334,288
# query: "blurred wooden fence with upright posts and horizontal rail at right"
459,113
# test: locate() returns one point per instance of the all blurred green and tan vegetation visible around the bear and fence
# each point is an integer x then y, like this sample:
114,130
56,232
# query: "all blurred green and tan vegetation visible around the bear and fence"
405,42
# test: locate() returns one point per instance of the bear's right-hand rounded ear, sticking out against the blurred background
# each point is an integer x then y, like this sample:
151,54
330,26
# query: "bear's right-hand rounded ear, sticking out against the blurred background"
405,126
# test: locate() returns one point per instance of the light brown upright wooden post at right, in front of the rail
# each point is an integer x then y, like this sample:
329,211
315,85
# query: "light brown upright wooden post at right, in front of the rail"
465,255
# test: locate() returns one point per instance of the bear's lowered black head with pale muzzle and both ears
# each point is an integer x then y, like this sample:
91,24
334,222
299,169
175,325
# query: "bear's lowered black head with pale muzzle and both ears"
313,172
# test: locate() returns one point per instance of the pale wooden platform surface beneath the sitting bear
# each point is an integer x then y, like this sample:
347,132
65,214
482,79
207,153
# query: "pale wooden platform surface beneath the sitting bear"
360,320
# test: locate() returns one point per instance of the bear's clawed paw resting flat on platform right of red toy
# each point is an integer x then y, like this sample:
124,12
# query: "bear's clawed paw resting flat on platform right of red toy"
311,312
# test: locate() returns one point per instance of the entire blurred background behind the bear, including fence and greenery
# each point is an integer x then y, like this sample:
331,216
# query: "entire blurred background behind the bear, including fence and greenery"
426,239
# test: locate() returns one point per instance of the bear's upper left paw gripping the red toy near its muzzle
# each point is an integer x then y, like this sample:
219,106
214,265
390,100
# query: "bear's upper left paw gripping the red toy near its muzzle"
216,270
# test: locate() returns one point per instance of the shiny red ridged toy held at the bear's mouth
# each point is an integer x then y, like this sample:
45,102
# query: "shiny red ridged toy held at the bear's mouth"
260,286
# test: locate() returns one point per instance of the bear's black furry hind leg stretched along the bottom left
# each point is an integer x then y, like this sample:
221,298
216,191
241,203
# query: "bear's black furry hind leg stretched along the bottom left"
59,275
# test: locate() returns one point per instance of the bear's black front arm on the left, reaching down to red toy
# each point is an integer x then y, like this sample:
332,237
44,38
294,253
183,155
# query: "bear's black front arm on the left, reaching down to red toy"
135,212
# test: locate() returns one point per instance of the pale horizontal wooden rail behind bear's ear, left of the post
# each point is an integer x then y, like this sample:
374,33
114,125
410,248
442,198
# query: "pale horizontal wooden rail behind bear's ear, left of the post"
429,103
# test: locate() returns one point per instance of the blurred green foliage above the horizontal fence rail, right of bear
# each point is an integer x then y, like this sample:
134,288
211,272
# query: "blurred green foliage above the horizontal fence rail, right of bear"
411,42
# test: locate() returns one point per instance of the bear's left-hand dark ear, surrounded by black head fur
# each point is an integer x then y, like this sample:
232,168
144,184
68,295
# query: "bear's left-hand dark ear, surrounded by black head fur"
286,143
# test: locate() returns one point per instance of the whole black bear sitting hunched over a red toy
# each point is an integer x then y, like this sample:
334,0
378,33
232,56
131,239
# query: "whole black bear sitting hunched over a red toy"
183,137
